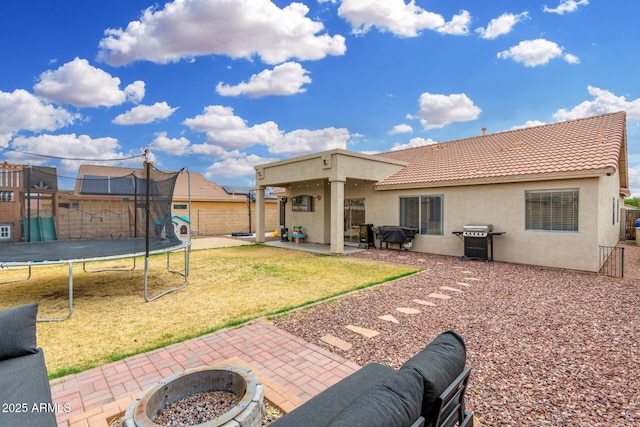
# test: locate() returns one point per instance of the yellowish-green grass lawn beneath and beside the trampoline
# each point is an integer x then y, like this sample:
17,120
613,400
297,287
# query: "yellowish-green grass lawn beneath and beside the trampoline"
227,286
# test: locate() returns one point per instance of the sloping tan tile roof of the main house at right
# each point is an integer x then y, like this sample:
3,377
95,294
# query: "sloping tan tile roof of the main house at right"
584,147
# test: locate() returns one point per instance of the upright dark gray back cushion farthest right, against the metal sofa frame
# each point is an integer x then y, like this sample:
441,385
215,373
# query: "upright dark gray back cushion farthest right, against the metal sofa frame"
438,364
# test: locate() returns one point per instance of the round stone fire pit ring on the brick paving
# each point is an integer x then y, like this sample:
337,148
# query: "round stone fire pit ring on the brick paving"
239,381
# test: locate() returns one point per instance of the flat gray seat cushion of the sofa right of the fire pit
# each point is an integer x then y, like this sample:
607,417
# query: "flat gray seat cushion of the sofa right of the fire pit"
321,409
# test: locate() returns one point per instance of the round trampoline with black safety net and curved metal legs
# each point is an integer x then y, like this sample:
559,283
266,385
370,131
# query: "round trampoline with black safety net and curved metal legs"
149,226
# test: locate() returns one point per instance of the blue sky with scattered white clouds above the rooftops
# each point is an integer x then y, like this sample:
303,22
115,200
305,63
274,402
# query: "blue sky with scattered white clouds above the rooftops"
220,86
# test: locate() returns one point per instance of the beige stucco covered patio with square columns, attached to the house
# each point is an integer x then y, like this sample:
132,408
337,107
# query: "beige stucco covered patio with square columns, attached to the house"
314,191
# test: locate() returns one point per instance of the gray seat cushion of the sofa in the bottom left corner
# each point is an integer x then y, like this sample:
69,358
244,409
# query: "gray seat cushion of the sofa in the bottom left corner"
24,389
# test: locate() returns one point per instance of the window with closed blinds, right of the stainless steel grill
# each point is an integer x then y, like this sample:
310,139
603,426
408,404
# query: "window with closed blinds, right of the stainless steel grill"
552,210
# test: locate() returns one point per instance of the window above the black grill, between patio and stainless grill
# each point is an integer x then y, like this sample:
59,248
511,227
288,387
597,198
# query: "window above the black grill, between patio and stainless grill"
424,213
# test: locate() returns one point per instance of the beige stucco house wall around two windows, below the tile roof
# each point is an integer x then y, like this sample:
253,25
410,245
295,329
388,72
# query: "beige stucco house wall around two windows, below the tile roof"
503,206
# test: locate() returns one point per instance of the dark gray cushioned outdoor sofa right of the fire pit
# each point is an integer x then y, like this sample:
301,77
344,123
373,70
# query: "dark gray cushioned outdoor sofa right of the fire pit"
428,390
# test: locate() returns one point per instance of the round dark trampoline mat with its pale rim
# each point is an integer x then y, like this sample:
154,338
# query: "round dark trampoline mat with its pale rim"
61,251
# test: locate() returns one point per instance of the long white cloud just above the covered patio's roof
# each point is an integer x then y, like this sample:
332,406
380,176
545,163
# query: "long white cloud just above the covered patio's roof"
226,131
